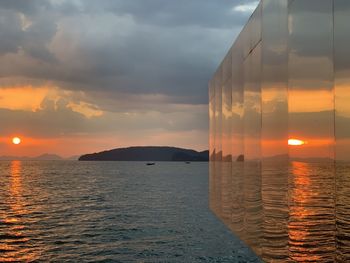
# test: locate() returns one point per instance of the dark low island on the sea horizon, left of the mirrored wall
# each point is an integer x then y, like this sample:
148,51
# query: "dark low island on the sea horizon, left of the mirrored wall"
148,153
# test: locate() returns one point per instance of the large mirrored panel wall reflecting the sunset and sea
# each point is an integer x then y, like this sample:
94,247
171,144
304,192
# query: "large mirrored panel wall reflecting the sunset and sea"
279,108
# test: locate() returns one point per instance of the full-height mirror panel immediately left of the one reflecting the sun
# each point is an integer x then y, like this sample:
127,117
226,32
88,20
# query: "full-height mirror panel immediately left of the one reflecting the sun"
274,94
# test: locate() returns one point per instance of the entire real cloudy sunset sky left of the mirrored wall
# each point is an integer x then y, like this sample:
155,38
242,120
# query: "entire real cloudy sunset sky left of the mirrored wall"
80,76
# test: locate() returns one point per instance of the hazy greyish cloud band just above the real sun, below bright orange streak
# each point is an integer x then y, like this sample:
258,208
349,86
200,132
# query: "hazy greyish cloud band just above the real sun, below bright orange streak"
56,119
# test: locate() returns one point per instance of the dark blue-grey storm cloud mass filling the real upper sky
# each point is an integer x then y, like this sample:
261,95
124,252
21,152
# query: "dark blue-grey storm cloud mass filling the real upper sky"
137,47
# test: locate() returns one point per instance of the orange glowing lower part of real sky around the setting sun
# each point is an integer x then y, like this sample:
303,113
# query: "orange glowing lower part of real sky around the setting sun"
36,110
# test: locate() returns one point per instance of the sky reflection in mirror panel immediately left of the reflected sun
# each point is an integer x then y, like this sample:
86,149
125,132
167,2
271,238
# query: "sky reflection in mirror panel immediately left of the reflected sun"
275,80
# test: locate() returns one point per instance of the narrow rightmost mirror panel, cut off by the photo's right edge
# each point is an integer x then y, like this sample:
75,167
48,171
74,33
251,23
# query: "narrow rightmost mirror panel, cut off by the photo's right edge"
342,124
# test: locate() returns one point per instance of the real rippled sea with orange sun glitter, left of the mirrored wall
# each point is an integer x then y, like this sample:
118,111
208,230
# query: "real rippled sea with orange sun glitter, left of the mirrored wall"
69,211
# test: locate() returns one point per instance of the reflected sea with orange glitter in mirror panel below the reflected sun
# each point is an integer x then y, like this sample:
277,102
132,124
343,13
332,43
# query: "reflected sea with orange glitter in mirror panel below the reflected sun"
311,208
